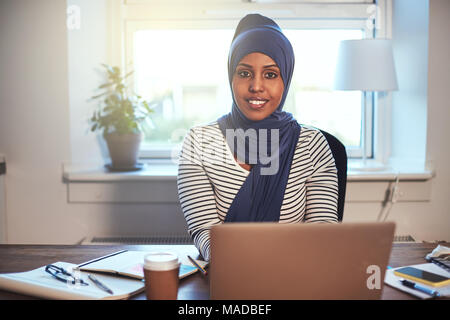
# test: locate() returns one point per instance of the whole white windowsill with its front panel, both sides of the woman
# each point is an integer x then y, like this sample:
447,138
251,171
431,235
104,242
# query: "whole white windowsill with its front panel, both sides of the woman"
156,183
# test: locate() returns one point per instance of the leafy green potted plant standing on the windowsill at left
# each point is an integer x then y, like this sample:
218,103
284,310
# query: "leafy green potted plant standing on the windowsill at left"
120,117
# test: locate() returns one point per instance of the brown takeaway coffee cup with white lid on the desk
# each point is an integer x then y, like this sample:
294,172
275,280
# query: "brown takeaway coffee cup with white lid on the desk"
161,275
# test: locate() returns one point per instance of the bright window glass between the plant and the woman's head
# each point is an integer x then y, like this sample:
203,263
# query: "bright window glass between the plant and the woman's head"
185,73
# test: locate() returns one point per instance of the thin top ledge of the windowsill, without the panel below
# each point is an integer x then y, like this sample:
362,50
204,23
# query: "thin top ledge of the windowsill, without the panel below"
166,170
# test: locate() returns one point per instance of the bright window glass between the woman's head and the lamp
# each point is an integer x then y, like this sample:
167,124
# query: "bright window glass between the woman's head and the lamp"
311,97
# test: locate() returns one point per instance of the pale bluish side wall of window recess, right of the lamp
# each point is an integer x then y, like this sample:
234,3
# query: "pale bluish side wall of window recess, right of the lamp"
410,45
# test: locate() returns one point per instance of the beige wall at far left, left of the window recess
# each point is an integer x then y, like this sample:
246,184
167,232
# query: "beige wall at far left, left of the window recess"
34,116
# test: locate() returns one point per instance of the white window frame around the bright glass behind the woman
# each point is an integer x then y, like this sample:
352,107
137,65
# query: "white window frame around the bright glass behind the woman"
135,15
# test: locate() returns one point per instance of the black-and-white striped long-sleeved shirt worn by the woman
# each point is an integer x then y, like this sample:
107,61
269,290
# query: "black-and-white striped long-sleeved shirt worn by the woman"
209,178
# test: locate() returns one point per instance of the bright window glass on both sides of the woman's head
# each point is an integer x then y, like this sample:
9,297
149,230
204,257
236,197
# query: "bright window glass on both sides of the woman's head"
184,72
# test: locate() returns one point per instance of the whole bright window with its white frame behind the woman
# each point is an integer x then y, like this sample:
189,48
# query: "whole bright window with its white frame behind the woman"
180,65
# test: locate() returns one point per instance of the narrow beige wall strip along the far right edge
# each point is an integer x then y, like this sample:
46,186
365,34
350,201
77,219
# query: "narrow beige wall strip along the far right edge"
437,215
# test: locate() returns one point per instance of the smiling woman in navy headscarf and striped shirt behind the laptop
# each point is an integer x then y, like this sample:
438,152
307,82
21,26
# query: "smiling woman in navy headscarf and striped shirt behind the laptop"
256,163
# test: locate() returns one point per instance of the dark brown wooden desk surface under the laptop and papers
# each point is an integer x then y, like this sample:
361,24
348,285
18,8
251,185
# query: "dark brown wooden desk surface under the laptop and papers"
18,258
